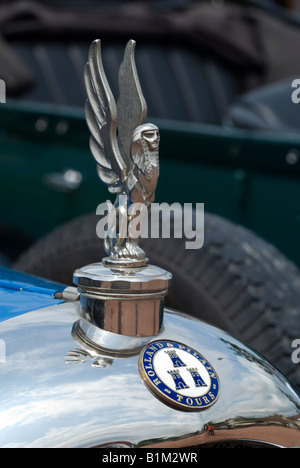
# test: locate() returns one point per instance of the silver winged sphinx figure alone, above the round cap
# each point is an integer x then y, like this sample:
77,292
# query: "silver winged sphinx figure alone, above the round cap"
124,146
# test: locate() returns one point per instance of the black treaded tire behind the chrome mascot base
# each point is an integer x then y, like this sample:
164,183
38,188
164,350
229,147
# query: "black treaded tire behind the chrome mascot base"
236,281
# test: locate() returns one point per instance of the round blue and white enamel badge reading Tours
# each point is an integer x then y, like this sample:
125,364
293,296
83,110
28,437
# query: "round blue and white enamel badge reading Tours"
179,375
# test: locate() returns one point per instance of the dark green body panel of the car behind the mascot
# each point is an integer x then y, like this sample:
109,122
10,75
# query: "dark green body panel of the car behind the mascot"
248,177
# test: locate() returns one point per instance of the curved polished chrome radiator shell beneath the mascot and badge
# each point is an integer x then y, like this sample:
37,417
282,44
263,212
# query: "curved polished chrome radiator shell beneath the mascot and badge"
56,394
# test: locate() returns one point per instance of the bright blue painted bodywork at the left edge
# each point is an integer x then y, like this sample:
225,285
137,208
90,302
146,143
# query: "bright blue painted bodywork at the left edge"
21,293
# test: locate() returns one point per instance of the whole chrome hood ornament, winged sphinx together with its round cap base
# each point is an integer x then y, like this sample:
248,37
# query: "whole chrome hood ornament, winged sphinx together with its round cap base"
121,297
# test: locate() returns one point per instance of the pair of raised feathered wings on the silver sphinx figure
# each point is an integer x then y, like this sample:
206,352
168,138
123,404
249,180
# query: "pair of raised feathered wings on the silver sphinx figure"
112,125
